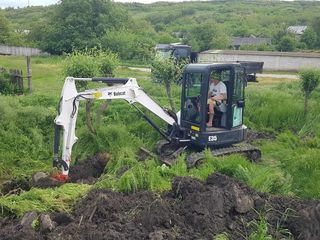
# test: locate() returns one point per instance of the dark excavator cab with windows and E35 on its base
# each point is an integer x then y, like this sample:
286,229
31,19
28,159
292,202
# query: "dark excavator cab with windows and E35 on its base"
227,125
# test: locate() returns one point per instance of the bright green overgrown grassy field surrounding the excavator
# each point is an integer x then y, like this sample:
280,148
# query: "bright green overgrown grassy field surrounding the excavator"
289,164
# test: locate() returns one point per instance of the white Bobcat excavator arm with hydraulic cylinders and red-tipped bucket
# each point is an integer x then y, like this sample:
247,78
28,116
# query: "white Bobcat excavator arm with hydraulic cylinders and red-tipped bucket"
123,88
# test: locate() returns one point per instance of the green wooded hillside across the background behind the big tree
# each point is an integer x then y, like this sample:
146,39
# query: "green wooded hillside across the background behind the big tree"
203,25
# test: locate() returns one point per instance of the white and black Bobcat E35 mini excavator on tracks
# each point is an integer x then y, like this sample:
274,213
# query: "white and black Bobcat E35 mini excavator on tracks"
186,129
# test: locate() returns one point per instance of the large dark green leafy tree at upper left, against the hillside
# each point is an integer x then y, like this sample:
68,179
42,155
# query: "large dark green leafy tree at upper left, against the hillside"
80,24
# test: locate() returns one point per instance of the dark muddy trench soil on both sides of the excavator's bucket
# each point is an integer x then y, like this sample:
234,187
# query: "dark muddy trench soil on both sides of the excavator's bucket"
85,171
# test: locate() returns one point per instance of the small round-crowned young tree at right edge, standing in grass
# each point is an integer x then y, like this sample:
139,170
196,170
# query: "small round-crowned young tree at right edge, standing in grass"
310,79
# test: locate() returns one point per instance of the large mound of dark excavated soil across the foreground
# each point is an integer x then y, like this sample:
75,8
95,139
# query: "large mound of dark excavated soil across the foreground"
191,210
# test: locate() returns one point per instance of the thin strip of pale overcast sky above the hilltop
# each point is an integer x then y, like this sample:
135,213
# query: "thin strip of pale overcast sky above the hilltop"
24,3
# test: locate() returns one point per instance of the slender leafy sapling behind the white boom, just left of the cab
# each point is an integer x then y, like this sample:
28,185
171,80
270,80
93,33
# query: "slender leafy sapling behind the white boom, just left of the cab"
167,71
